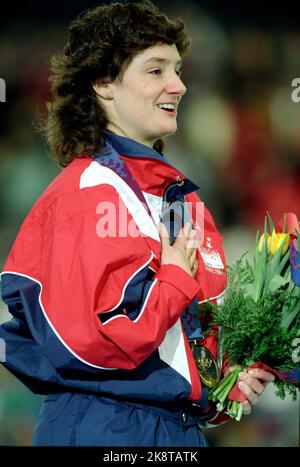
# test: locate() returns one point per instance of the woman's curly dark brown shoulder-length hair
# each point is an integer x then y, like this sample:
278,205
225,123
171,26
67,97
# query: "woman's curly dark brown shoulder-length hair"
101,44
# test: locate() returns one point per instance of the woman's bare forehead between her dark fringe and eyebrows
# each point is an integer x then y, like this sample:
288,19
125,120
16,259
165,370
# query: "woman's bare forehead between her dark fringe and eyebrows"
160,52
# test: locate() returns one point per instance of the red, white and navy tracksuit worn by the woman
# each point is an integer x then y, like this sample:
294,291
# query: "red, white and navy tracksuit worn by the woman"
98,324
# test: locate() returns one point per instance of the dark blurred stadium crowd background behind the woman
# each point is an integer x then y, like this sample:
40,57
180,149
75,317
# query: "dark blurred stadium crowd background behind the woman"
238,137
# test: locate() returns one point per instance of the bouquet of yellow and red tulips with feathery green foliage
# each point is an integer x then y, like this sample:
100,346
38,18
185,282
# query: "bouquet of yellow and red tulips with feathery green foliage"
259,318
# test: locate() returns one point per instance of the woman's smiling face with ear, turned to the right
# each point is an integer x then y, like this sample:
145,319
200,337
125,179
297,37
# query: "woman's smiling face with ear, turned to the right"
144,103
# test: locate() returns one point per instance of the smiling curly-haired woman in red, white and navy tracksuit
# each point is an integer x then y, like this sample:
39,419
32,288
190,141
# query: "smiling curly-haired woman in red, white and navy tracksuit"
102,294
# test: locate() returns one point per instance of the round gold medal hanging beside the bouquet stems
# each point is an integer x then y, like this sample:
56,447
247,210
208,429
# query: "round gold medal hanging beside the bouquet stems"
207,367
